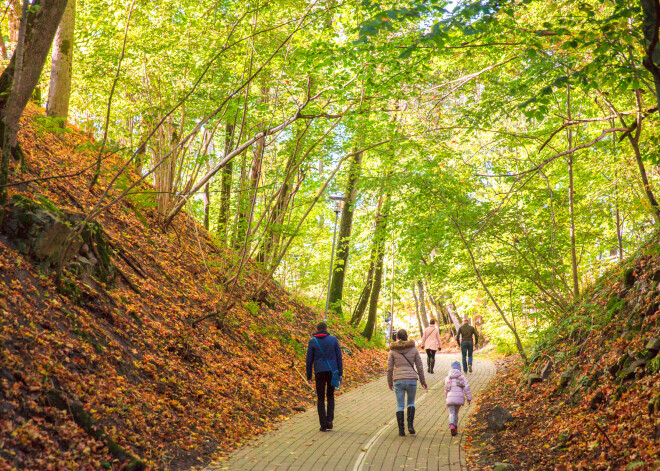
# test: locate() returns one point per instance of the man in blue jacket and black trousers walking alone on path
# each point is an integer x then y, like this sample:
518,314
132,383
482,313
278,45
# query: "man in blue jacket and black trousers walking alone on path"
324,354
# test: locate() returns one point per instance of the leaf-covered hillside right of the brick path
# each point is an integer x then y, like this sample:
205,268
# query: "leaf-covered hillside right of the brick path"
588,399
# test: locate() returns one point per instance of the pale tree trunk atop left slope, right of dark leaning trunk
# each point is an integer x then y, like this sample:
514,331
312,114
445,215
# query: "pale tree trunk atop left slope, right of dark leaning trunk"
59,91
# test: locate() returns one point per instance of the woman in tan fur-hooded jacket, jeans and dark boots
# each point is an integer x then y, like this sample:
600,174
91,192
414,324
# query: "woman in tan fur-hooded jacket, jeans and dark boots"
404,366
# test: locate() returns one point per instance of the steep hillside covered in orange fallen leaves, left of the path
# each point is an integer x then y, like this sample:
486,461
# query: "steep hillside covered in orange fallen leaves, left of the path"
108,369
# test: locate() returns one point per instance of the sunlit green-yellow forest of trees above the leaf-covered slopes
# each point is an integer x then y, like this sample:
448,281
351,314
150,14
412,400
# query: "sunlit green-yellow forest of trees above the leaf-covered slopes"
493,157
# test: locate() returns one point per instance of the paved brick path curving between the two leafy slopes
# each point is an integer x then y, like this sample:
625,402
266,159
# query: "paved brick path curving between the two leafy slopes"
365,435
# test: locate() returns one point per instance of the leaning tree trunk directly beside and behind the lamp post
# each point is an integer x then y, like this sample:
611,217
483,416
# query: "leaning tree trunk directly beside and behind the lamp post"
343,246
